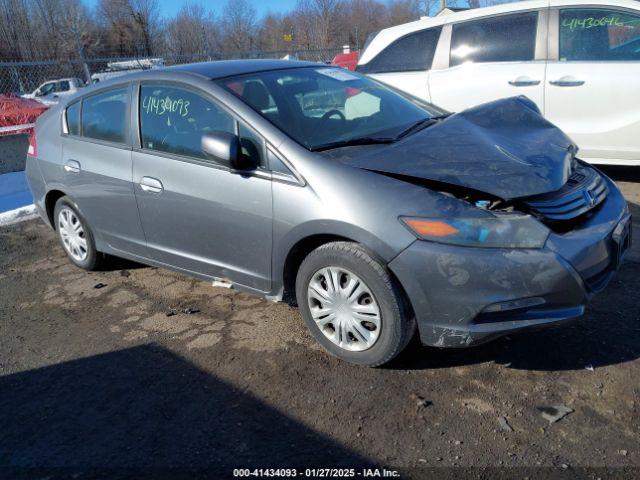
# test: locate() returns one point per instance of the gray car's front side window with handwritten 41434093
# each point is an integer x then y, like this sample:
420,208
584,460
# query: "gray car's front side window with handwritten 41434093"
173,120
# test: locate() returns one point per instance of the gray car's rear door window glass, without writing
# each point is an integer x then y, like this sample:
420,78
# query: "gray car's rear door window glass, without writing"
104,115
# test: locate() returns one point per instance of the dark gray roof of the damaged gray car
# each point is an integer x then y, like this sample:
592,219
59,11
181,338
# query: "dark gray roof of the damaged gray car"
228,68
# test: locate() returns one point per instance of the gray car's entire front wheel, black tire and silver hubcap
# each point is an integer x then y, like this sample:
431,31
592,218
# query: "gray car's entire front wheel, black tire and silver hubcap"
352,305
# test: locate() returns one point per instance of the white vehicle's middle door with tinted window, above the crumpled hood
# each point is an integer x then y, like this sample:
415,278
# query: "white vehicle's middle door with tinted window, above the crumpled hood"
490,58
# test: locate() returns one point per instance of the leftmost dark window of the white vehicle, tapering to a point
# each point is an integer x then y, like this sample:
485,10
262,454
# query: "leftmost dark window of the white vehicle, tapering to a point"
413,52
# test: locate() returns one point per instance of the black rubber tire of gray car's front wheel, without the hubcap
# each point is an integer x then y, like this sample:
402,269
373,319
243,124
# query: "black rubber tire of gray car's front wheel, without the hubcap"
398,325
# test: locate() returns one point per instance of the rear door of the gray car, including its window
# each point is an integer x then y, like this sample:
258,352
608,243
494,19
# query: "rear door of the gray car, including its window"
97,168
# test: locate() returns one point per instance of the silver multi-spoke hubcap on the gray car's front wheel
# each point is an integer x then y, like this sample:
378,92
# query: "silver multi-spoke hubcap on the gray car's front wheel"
344,308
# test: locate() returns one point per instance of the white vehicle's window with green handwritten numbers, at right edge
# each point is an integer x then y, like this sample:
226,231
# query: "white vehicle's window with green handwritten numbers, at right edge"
599,35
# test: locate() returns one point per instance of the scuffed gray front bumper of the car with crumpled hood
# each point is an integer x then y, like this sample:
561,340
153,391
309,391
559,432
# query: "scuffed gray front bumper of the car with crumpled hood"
463,296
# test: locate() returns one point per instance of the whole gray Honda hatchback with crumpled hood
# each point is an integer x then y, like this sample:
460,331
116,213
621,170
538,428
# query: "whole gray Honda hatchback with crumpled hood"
379,214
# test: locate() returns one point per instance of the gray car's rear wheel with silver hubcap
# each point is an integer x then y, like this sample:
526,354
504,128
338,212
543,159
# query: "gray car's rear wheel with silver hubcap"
75,235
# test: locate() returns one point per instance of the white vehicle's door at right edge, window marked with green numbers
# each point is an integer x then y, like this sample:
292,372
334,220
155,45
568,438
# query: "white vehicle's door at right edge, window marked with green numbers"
593,81
